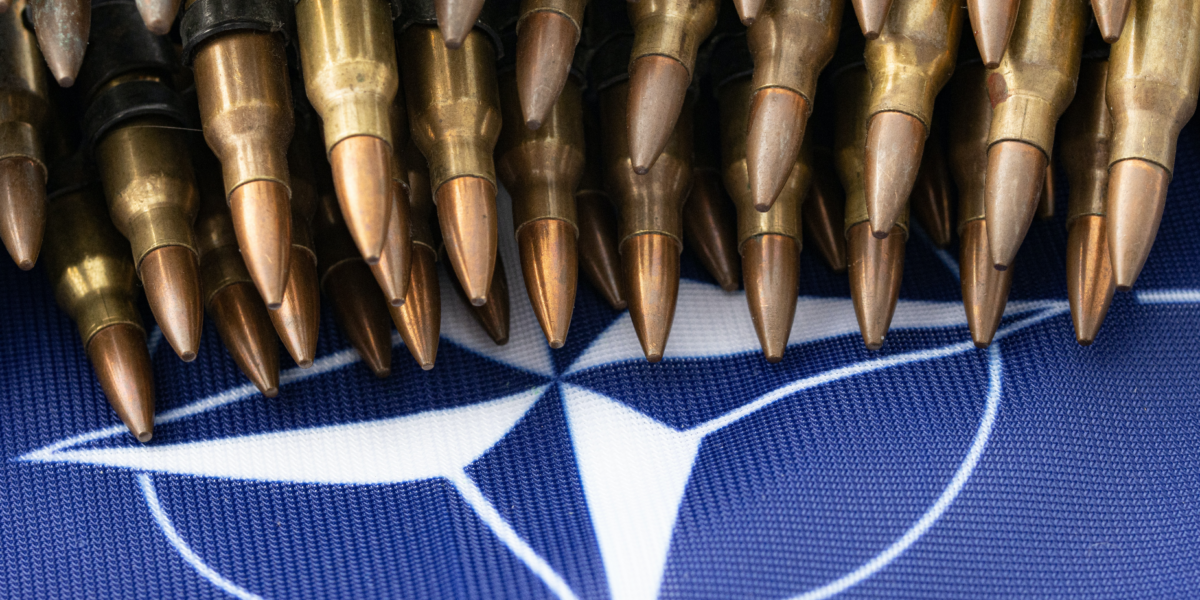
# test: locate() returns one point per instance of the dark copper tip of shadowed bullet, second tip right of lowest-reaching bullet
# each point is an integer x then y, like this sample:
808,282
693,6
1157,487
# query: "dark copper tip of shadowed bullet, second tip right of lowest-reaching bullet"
247,332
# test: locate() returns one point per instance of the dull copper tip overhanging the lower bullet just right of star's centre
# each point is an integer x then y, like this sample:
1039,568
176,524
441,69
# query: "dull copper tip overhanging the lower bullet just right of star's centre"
658,86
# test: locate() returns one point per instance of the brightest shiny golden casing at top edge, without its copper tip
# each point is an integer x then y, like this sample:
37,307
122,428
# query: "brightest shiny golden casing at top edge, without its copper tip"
350,65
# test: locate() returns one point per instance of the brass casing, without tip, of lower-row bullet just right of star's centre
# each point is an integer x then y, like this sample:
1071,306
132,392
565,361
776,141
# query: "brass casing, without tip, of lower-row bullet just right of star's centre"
650,203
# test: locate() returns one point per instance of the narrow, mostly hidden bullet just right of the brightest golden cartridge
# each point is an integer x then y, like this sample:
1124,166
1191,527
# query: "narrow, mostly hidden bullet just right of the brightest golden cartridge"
419,320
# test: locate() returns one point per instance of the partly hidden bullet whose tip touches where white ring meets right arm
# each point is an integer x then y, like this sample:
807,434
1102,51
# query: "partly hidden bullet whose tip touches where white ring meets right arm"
985,289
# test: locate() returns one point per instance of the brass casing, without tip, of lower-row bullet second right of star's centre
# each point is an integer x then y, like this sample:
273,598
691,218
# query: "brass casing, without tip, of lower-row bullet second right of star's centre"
784,217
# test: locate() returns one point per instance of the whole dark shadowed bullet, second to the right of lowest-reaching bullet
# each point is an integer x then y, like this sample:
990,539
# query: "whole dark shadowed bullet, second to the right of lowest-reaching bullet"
230,295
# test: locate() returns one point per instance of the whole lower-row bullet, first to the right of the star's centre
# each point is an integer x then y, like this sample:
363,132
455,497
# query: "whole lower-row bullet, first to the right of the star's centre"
650,224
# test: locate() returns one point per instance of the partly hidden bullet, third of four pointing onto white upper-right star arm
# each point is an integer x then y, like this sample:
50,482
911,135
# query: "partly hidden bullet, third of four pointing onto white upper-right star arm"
875,266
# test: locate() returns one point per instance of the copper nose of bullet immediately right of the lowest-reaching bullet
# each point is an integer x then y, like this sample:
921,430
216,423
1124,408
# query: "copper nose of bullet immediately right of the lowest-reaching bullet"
172,281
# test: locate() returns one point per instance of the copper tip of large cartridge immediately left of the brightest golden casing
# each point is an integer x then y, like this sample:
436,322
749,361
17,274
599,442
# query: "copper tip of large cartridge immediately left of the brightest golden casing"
262,220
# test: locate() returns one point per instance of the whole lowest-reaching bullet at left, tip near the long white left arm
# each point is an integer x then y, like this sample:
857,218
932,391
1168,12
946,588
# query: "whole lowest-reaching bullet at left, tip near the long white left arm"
93,275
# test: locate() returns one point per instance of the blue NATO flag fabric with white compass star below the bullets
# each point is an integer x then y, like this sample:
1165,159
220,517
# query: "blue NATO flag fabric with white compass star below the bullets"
931,469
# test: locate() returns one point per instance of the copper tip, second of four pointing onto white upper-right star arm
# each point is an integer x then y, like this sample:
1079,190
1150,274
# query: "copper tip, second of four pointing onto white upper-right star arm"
772,265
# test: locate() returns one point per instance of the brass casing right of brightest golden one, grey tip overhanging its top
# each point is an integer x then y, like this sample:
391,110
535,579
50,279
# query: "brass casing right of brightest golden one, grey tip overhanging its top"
454,104
